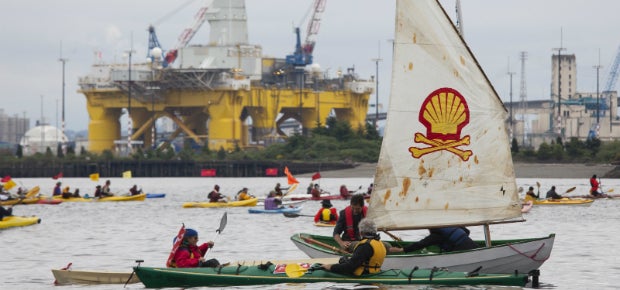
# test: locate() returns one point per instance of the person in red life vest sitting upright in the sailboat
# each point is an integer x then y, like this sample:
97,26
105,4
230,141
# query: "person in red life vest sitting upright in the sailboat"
346,231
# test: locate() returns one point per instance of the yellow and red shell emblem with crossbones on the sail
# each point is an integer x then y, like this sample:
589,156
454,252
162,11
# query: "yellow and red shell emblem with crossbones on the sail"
444,113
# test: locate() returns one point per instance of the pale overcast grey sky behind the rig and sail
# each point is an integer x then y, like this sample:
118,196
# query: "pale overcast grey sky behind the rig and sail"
34,33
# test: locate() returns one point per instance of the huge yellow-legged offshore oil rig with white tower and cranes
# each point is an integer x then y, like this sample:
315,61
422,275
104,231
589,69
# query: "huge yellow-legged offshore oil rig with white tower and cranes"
223,94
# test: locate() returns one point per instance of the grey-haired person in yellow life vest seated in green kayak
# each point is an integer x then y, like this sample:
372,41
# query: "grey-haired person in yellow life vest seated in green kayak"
367,256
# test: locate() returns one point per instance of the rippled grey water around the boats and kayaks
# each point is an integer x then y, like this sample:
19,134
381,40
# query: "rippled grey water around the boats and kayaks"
111,236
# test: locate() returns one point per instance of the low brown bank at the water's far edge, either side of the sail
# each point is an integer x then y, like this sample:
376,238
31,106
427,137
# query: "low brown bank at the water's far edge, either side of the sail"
522,170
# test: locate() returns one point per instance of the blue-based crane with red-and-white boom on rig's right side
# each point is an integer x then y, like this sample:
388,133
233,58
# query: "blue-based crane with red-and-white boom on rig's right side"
303,53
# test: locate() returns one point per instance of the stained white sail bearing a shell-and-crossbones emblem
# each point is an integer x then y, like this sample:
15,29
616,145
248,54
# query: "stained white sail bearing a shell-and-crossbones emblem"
445,158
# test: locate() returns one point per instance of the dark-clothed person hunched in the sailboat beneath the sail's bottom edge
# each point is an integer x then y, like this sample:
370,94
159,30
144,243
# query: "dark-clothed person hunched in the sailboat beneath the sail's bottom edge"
448,239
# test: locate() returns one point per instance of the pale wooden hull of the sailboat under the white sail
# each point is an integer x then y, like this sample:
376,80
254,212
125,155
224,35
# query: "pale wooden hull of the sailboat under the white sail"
504,256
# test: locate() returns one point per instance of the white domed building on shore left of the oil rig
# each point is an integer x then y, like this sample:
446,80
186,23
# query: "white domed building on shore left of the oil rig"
39,138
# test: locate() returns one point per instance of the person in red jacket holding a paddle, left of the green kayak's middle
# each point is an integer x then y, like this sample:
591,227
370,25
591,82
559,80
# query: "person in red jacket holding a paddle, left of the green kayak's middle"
190,255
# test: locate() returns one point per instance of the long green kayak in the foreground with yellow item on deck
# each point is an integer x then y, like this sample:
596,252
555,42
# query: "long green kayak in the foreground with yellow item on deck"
241,275
